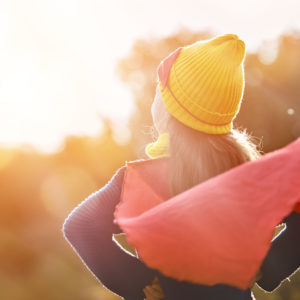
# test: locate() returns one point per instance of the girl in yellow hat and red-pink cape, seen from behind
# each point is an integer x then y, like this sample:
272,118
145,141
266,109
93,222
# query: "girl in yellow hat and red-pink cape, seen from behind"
200,230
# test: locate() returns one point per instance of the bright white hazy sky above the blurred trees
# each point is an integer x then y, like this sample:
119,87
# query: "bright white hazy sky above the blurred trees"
58,57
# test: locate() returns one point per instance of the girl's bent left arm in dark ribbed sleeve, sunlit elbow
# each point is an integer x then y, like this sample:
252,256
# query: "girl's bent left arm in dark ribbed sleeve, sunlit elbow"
89,229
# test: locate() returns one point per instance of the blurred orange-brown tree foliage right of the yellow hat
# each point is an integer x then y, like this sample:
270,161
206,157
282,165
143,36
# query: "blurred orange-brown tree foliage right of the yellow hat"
271,105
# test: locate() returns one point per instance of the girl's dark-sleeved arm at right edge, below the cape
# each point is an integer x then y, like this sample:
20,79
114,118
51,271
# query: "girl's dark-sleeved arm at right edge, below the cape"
283,258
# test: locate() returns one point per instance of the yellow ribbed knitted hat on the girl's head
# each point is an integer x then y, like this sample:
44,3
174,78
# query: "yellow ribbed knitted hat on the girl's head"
202,84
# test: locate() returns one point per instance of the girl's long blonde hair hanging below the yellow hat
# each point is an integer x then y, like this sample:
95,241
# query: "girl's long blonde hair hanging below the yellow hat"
196,156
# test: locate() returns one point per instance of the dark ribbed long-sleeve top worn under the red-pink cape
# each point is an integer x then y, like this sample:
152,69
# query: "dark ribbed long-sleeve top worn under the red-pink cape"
89,229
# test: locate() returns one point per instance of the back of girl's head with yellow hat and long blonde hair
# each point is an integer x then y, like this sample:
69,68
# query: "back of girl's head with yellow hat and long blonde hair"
201,87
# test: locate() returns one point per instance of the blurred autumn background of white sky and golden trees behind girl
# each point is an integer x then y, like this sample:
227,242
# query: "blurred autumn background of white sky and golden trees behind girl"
77,79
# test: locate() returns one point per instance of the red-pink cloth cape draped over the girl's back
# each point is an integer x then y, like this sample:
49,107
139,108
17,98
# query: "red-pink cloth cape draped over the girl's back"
216,232
